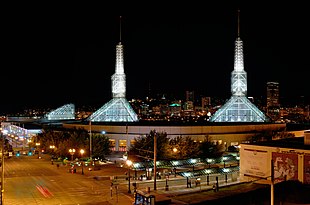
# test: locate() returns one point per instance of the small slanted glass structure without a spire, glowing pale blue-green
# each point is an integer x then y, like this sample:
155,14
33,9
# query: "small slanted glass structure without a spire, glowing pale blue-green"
66,112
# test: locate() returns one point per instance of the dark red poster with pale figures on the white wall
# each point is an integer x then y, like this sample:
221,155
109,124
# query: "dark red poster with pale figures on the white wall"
285,166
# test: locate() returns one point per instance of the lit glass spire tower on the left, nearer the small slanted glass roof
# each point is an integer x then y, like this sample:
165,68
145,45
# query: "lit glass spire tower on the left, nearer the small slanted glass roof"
118,108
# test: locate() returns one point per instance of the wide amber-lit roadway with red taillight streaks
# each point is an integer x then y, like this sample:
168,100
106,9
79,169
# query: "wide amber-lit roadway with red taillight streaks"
33,181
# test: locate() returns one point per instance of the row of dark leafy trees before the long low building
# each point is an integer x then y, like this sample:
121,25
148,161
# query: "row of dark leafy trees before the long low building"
58,142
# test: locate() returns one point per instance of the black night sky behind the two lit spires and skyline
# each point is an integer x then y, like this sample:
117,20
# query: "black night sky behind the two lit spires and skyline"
54,58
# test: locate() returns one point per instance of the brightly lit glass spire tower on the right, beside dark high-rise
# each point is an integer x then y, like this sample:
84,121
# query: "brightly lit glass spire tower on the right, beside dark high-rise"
238,108
